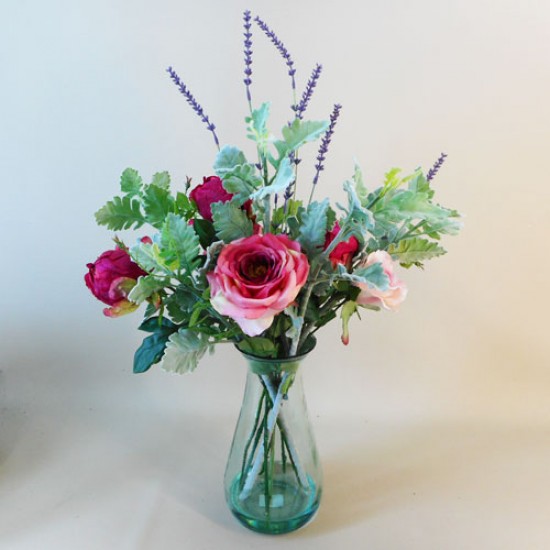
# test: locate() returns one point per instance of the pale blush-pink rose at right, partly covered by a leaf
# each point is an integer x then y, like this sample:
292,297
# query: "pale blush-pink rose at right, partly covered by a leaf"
396,291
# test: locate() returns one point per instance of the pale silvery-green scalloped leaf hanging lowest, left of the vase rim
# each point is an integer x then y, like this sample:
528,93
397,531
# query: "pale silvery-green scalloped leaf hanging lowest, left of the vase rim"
184,350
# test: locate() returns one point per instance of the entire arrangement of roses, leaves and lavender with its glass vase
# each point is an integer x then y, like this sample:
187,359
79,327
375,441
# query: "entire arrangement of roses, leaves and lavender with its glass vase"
243,258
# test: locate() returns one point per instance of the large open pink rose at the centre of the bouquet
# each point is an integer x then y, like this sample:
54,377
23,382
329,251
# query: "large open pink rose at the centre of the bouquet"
255,278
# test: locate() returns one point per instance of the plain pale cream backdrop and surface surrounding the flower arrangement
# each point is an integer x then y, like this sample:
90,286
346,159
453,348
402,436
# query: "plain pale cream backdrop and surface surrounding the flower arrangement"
433,425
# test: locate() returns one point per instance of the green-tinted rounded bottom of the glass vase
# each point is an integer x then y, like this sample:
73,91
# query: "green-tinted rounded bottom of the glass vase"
288,507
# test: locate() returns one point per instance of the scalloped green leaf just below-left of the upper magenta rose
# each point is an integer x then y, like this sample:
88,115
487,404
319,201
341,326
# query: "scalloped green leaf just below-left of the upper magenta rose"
180,243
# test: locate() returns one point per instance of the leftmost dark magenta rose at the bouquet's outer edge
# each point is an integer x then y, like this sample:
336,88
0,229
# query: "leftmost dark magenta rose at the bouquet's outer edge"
110,278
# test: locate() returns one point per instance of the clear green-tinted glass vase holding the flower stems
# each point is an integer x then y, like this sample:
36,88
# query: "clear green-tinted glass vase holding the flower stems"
273,478
